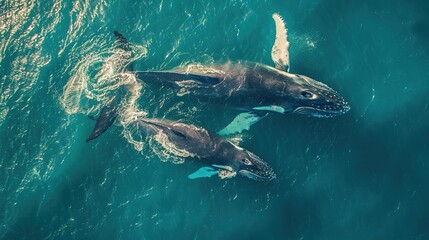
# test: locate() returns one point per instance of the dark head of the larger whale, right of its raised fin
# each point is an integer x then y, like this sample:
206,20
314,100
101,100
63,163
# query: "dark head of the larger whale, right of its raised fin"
312,98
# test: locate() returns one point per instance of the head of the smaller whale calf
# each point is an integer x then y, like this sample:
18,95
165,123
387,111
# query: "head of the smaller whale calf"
247,164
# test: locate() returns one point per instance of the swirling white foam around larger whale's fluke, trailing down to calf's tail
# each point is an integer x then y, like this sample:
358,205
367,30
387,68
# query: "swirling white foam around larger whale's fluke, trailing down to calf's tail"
99,75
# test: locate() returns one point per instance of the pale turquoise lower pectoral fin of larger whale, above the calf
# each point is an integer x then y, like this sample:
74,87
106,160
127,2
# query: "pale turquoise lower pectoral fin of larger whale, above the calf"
242,122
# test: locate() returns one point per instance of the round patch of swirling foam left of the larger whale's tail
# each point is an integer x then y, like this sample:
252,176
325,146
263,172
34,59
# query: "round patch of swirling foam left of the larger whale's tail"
96,76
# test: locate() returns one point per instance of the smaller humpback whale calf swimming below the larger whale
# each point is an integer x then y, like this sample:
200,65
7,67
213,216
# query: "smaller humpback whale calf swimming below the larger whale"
225,159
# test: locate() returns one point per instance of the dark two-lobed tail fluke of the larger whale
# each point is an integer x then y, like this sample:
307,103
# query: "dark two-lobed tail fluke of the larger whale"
110,111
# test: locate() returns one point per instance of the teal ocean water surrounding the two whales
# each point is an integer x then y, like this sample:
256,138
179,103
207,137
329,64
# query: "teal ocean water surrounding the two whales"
362,175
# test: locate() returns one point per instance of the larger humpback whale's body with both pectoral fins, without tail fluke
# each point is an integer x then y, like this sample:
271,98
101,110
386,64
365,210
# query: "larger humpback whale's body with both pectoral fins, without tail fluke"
254,87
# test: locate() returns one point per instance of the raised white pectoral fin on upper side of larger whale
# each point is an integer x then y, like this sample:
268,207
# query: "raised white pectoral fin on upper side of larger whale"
280,50
